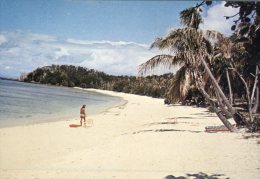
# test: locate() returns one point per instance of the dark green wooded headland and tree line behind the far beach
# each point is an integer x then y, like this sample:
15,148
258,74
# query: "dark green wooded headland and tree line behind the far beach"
72,76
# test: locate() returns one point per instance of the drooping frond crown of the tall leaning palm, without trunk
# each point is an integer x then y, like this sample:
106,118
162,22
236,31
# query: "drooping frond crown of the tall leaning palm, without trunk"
185,45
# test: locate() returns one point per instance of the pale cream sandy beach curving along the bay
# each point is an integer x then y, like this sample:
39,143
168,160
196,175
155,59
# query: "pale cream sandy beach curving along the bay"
143,139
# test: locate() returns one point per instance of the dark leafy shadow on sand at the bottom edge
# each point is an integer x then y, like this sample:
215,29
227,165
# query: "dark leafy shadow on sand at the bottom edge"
199,175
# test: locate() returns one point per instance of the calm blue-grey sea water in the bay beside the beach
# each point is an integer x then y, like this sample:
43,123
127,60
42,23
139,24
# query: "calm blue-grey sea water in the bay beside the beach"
26,103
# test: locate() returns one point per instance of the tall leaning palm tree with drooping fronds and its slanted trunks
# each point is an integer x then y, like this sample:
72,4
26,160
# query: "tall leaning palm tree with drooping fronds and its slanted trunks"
192,49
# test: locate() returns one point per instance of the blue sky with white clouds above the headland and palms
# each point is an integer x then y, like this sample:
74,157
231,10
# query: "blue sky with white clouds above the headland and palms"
110,36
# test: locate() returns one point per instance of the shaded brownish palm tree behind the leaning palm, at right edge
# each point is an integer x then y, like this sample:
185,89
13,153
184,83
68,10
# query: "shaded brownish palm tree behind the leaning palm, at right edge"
237,52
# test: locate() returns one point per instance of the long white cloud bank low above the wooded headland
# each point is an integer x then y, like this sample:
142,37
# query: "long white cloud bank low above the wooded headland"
23,52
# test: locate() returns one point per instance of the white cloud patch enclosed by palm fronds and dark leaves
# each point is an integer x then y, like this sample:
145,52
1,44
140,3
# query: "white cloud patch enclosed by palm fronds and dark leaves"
214,18
